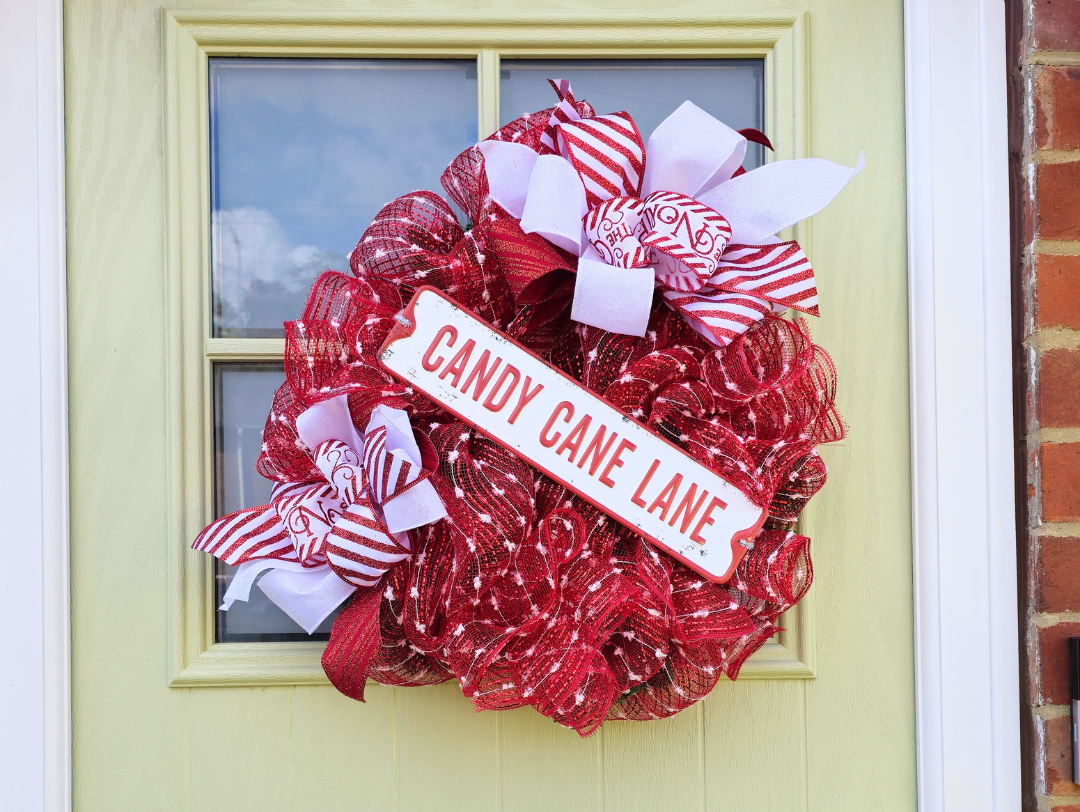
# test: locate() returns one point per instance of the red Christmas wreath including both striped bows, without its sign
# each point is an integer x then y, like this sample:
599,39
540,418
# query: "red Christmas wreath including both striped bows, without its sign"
654,279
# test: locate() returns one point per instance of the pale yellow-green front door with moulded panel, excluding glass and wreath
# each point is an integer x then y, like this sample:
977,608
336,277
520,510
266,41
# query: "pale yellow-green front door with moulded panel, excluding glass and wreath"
171,713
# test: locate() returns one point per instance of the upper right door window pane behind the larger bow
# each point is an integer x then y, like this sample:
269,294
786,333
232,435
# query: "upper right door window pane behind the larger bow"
650,90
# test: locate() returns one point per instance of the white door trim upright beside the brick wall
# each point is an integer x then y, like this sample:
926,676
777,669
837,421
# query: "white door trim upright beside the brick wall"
963,502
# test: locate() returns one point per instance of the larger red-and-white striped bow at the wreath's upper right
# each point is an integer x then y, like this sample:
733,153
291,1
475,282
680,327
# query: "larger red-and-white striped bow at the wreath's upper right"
681,215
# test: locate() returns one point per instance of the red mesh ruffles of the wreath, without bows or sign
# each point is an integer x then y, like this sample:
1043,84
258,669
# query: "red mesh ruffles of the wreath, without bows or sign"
526,594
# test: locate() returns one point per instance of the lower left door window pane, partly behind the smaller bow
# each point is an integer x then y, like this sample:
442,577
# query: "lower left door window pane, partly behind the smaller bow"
242,396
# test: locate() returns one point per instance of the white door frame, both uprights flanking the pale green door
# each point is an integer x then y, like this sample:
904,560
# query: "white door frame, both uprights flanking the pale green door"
964,516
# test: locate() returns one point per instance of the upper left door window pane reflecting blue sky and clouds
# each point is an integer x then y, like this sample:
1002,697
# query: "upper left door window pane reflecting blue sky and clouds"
304,154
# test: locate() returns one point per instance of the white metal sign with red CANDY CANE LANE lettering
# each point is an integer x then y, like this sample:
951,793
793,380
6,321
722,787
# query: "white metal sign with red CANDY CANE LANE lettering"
573,436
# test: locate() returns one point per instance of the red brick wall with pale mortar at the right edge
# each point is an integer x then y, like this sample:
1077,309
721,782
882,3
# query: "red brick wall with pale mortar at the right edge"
1045,110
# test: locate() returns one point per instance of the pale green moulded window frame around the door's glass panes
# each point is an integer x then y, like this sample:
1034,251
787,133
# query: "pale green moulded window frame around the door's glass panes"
194,37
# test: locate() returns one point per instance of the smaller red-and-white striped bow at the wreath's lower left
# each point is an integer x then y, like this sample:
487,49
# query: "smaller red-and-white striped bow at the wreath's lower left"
323,540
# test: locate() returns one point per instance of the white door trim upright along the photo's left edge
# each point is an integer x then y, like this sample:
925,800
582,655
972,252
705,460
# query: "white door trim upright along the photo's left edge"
35,648
